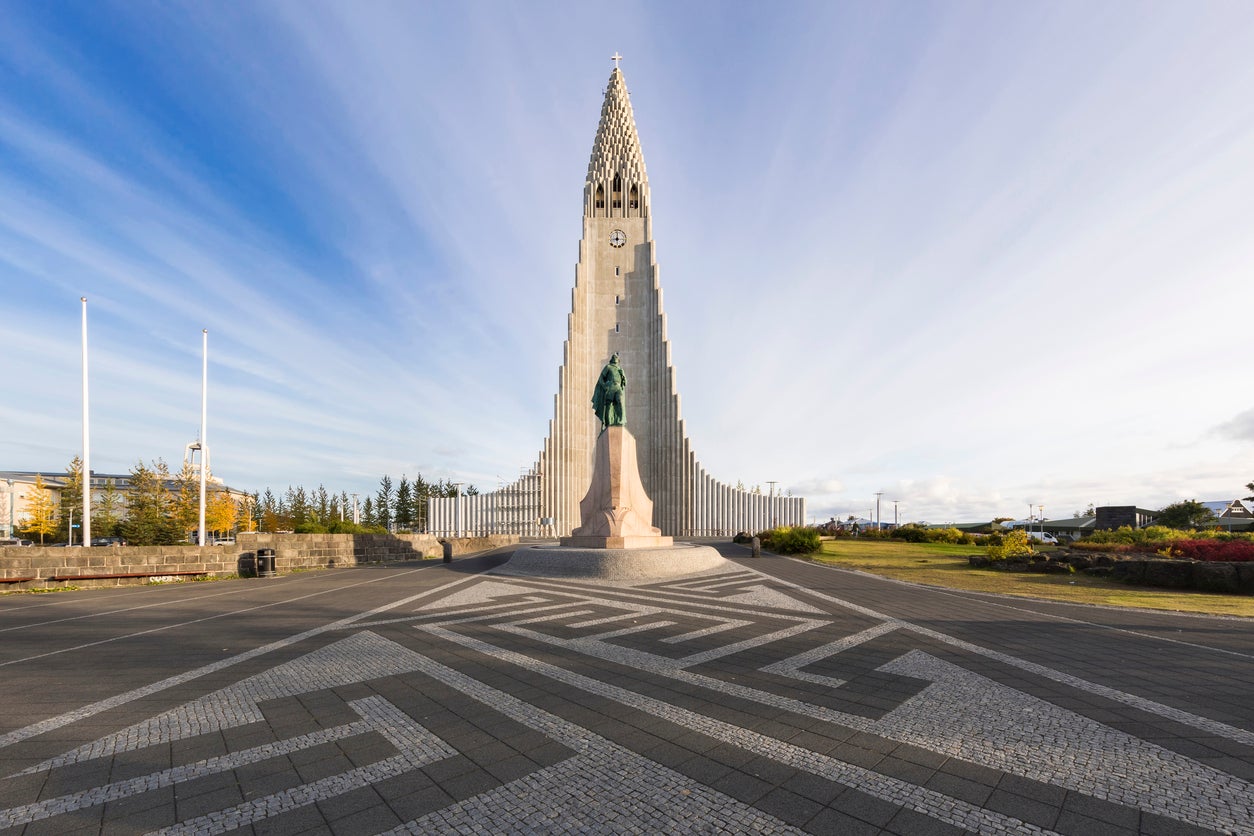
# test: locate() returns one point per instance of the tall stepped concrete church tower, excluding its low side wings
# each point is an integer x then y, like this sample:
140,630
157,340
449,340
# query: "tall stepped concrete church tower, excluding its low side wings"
616,306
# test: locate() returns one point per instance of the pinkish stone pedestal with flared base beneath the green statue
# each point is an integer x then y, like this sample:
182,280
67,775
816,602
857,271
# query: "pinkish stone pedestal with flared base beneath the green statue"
616,512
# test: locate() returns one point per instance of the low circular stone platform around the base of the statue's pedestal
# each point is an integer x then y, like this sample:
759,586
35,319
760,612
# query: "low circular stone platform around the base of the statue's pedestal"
613,565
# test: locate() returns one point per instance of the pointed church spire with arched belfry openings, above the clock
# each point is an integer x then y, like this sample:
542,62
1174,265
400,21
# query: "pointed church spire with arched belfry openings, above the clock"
618,186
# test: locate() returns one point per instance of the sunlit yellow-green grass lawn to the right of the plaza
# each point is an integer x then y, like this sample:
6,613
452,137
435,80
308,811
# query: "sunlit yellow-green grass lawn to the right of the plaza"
942,565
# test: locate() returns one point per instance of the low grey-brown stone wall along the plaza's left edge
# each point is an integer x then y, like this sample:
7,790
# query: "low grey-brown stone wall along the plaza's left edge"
42,565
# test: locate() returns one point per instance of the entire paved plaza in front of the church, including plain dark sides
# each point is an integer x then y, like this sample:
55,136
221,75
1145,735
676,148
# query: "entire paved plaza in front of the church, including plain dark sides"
769,698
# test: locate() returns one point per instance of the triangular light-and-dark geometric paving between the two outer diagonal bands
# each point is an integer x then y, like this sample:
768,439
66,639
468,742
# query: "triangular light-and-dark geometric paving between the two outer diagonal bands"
730,703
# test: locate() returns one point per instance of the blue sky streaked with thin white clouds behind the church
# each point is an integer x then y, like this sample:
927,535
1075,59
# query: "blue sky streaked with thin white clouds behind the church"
974,256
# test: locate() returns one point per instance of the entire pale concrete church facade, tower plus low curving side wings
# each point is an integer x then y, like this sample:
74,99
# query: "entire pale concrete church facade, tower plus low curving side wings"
616,308
